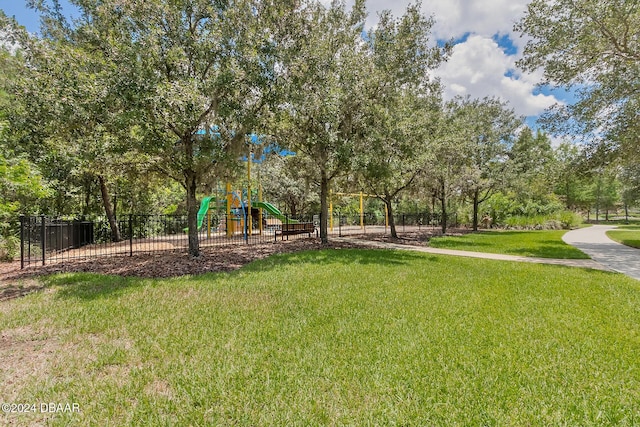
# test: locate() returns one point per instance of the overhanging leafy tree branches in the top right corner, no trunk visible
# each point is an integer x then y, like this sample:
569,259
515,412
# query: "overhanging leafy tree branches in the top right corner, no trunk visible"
593,49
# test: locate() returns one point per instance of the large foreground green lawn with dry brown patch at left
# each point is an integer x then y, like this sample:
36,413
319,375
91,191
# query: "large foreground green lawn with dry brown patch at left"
336,337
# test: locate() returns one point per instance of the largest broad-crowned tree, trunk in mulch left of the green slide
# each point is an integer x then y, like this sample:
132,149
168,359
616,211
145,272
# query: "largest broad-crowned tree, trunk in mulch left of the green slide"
186,80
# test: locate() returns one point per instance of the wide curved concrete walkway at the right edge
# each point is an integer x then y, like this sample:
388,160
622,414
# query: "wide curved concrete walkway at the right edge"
594,242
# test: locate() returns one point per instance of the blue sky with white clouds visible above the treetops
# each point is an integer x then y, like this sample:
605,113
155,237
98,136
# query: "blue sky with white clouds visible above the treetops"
483,59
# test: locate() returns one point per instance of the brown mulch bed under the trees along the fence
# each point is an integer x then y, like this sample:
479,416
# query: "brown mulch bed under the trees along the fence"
15,282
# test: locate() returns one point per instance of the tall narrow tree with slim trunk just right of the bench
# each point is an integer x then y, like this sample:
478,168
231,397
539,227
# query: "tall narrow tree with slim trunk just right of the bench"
324,116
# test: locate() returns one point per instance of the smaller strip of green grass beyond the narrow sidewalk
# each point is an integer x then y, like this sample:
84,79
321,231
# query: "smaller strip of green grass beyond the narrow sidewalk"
543,243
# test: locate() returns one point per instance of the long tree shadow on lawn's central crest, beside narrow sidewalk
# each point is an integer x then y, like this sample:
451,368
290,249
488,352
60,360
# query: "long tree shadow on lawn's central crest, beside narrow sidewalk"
349,256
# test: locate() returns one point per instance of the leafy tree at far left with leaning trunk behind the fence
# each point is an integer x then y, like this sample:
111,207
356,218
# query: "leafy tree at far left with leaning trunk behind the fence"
66,113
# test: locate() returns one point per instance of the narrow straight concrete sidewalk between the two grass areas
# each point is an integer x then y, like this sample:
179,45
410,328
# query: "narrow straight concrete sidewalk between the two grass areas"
583,263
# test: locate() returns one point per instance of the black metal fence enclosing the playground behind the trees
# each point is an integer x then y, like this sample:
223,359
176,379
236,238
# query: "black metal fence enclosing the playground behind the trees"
46,239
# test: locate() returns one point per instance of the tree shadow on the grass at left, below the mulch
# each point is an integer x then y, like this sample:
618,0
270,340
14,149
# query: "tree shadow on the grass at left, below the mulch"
90,286
